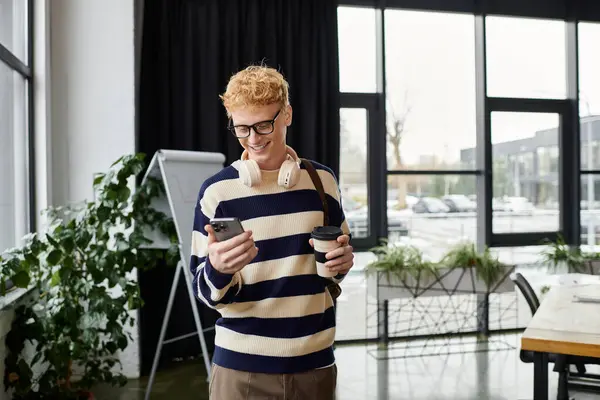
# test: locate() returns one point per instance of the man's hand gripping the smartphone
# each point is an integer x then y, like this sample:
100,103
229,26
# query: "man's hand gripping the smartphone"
233,254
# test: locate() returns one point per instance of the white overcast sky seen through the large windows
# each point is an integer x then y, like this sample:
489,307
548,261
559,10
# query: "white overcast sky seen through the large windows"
430,67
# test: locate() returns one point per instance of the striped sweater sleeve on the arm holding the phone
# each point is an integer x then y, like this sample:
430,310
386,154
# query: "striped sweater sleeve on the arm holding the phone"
212,287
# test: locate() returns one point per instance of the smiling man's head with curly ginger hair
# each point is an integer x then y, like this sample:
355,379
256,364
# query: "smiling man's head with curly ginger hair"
254,95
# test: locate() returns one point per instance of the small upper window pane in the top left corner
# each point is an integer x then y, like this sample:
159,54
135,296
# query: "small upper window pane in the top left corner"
13,27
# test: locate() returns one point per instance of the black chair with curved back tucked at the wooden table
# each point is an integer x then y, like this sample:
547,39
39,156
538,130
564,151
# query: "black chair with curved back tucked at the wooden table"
561,362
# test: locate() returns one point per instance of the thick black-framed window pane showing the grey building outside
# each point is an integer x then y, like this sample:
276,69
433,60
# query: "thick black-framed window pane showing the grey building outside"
525,172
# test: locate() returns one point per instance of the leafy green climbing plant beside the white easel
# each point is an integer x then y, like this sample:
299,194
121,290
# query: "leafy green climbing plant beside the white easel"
81,269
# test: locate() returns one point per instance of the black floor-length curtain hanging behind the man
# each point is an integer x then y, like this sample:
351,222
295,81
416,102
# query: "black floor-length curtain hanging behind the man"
190,48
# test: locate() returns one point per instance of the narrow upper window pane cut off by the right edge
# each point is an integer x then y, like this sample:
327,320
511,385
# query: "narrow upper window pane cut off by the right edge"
589,95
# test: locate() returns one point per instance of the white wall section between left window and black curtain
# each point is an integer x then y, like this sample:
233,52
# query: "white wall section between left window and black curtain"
92,101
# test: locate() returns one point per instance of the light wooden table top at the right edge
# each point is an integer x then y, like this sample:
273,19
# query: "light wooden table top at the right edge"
565,326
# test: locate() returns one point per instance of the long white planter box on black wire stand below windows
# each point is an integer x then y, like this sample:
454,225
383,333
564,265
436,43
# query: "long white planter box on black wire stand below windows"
448,282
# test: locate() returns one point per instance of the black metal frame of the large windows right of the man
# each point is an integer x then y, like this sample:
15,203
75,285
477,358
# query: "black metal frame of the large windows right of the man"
568,109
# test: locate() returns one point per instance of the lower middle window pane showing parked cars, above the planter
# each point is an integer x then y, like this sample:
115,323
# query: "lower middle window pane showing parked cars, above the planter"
439,212
